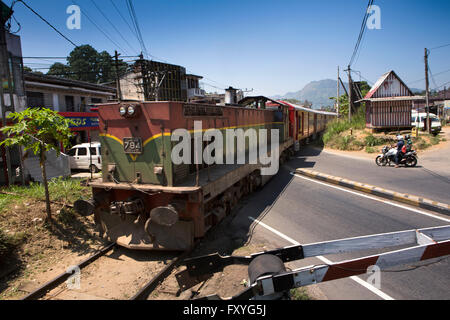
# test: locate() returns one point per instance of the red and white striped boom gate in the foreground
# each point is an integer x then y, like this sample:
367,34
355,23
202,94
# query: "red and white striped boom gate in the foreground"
424,244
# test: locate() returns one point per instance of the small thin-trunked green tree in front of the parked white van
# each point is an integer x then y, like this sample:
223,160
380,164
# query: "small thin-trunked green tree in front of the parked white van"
38,130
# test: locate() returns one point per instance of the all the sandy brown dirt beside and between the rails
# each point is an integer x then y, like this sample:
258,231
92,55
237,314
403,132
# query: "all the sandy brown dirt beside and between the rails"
47,250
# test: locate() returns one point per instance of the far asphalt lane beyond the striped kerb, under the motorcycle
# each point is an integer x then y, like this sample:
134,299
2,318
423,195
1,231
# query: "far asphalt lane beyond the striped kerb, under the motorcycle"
426,180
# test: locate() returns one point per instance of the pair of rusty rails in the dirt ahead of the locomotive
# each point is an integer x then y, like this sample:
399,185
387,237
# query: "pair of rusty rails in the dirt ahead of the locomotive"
50,291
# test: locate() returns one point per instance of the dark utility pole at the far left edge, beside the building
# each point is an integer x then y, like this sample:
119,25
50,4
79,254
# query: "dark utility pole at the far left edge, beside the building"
4,65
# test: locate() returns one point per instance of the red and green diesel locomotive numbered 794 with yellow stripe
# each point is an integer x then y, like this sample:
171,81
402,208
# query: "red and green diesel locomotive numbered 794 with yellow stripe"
145,201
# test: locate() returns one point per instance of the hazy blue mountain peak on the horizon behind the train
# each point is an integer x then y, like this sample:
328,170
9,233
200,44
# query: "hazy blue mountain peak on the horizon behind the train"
316,92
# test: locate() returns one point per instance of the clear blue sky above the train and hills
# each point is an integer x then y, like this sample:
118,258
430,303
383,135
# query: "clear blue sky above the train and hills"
272,46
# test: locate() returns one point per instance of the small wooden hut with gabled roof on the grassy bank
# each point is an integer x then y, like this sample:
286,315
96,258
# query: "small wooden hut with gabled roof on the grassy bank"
389,103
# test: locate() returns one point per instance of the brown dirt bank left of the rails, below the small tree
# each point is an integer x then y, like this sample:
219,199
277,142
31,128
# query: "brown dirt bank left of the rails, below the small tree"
47,249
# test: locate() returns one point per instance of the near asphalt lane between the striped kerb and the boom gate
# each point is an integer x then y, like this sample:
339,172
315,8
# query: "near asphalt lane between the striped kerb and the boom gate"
308,212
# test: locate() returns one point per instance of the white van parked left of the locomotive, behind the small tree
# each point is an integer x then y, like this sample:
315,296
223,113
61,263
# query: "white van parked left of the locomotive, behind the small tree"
86,156
